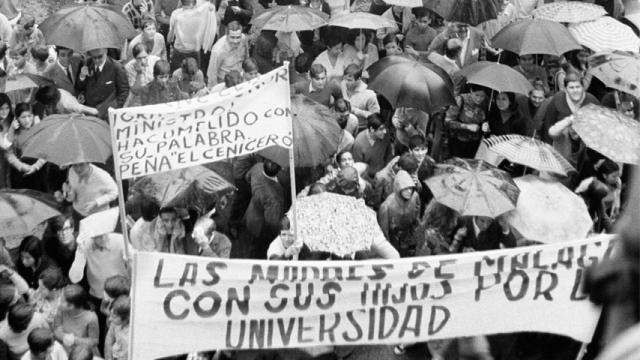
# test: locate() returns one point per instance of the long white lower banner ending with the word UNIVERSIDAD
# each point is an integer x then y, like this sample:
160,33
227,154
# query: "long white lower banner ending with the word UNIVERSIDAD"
252,304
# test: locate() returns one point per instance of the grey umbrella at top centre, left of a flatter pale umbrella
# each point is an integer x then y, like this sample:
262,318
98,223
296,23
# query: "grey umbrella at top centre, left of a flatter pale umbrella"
289,18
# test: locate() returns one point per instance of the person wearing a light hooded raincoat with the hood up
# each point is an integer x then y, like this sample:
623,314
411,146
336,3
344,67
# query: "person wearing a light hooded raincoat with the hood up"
398,215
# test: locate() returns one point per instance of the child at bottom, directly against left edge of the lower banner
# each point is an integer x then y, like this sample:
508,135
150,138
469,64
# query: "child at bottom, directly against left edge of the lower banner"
117,341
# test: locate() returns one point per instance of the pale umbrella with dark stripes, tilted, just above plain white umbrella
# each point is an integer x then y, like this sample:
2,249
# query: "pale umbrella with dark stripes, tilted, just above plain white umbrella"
529,152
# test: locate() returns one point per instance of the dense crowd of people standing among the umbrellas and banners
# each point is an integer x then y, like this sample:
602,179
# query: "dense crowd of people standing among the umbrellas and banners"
64,296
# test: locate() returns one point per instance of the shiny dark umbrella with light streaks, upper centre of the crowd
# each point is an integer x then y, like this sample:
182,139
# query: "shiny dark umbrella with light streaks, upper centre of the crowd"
408,83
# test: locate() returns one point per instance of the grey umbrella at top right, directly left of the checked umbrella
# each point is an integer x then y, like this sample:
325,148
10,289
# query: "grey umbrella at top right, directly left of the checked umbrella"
535,37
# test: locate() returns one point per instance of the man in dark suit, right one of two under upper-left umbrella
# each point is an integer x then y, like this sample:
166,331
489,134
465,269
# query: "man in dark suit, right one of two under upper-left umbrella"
103,82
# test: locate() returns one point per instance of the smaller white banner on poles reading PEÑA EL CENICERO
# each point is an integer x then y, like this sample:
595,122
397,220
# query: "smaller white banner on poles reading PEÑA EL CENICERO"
244,119
